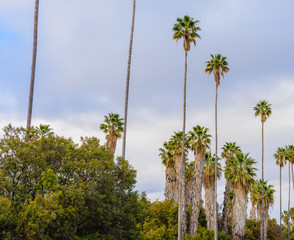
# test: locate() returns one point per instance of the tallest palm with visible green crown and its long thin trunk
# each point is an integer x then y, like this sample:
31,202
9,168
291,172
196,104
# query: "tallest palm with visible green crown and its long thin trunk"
187,29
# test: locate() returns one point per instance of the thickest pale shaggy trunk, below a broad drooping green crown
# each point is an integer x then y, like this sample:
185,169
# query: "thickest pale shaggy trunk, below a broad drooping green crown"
239,213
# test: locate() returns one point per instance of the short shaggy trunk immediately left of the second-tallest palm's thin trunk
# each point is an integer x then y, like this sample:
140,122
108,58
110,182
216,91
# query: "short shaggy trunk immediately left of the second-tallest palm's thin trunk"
209,205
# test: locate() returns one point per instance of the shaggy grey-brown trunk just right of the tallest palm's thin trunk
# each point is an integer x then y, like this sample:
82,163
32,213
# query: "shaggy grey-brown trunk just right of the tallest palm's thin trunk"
197,179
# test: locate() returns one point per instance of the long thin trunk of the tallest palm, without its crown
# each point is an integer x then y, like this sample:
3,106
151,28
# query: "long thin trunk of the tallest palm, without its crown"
182,205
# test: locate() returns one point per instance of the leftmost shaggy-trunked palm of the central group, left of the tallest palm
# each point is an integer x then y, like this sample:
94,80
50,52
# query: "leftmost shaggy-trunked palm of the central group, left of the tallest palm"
166,154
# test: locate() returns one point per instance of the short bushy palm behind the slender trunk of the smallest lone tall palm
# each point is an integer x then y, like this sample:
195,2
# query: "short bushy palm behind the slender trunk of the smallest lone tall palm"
268,200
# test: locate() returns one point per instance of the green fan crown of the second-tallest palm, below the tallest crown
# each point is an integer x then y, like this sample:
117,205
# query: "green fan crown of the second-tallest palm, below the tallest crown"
218,65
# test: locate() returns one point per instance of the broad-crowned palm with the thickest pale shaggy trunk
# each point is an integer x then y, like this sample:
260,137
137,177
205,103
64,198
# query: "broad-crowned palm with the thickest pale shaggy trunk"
241,172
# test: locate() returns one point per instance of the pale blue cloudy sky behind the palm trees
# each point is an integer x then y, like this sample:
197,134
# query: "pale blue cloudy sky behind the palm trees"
81,74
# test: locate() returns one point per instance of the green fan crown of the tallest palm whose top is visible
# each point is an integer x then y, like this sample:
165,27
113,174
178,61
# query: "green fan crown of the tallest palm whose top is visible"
187,29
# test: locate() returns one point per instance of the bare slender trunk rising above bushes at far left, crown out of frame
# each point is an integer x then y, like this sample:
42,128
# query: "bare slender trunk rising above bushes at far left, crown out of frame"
33,69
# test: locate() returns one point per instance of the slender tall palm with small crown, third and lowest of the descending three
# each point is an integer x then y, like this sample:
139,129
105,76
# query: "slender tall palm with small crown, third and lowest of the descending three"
263,109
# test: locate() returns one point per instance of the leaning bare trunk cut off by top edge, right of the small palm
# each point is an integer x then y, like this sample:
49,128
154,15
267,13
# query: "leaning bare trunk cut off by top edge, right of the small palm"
128,81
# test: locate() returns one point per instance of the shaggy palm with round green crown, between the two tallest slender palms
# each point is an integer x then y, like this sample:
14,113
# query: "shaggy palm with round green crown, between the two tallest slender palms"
199,140
